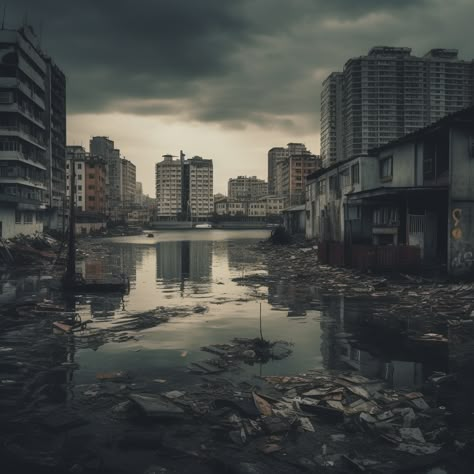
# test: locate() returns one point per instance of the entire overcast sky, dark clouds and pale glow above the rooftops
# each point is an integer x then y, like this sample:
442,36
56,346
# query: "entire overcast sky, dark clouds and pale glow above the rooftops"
223,79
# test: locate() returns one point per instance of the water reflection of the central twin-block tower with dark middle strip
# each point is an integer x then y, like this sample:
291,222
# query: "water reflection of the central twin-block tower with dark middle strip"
185,260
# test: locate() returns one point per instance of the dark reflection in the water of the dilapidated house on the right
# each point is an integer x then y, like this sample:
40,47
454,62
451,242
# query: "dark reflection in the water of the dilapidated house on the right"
351,340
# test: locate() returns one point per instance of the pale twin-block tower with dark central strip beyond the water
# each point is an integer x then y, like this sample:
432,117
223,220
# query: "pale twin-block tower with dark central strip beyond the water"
184,188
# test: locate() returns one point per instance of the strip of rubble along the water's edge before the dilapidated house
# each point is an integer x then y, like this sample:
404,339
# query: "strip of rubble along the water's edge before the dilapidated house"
412,298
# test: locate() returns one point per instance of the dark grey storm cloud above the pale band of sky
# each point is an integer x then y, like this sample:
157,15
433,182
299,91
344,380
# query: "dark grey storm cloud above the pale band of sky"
226,61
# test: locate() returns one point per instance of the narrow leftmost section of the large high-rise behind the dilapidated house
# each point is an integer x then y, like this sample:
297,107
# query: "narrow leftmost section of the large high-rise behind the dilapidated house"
331,119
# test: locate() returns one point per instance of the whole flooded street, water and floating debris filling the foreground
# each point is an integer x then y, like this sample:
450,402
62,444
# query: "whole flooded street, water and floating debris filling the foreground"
172,372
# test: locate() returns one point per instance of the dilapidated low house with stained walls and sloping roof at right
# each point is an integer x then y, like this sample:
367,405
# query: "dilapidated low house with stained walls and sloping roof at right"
412,203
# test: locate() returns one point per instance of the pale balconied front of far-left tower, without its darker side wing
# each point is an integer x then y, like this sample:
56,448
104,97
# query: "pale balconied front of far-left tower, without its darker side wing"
23,140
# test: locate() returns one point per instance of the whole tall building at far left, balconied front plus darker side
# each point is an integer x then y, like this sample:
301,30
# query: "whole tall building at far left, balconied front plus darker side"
32,135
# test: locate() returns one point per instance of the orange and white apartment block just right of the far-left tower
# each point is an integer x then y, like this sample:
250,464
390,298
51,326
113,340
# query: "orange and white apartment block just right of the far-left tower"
89,178
